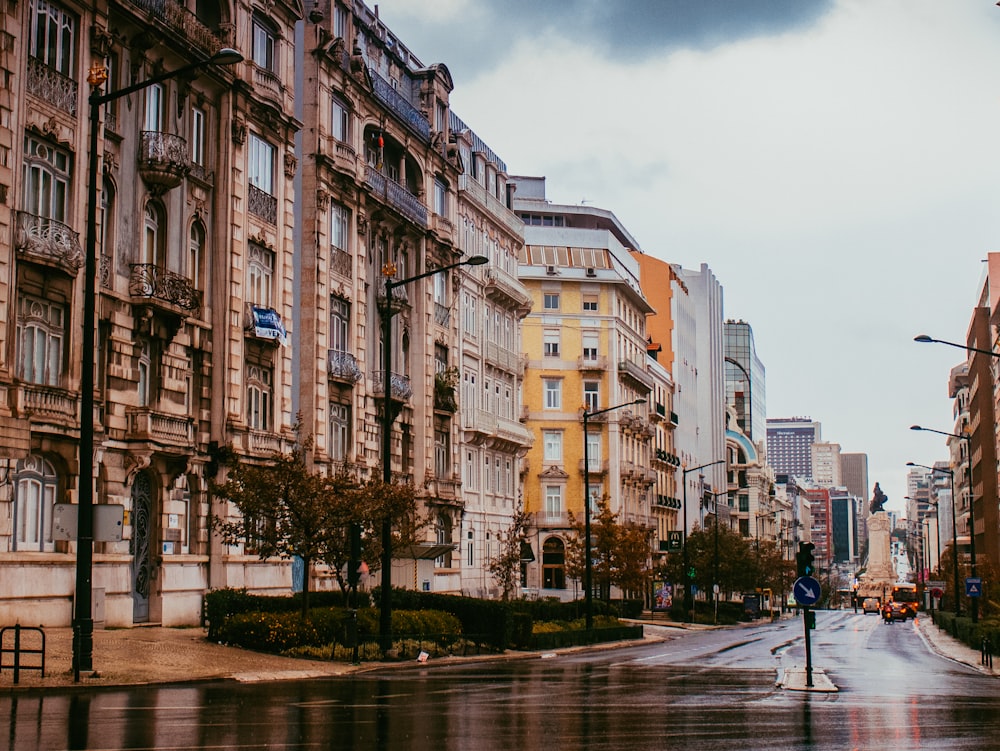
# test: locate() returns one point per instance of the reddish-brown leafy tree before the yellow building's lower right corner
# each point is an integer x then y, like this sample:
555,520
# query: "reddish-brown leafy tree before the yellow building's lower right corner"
620,552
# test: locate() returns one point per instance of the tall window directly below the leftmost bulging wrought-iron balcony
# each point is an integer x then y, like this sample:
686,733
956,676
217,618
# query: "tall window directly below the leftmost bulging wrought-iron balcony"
40,336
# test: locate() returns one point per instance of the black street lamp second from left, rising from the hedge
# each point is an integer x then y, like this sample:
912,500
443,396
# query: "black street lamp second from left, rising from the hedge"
388,270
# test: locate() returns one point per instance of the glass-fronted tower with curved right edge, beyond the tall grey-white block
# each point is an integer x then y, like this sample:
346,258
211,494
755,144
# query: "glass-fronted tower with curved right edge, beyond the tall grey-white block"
745,385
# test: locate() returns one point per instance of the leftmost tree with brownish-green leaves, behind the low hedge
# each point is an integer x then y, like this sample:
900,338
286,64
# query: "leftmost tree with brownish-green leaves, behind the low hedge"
285,510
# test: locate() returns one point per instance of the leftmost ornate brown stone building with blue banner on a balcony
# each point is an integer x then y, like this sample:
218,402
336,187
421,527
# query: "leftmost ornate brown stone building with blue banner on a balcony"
194,271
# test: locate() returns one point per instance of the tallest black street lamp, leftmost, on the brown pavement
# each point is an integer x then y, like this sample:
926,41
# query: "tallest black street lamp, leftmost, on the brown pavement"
83,621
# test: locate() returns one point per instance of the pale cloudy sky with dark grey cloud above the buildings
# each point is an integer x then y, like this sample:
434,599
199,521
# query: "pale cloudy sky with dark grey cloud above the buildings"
834,162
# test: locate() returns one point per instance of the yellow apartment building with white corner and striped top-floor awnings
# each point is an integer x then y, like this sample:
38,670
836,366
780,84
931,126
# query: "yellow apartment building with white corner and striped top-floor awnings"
586,346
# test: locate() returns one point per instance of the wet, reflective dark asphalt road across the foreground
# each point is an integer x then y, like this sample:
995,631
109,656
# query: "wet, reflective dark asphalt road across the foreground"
704,690
